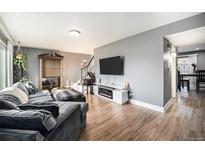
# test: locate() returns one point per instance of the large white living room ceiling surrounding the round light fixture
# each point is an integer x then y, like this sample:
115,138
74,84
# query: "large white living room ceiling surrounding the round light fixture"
50,30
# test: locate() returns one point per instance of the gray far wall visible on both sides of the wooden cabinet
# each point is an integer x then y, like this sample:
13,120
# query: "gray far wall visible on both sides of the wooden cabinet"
71,64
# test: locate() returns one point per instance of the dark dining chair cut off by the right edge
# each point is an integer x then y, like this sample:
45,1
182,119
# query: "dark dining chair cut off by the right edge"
200,79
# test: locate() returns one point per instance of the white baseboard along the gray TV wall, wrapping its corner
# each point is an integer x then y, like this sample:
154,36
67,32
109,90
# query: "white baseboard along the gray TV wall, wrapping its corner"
151,106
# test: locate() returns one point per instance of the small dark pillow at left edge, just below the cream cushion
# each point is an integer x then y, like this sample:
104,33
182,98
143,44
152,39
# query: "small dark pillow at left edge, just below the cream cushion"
8,102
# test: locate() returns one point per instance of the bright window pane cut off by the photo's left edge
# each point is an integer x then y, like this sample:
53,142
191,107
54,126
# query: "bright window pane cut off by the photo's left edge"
2,66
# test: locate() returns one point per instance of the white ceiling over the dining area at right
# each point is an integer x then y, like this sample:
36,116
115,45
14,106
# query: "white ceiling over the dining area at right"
188,38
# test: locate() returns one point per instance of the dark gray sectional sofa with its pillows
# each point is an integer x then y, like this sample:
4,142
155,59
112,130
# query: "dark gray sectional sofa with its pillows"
39,116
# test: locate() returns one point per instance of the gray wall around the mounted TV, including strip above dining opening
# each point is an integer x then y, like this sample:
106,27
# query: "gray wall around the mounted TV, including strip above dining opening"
144,60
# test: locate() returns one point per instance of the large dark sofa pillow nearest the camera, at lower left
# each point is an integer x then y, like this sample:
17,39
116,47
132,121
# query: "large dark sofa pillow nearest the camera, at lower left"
39,120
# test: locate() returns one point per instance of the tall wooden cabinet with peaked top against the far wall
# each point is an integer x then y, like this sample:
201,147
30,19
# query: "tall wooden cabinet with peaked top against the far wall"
51,70
